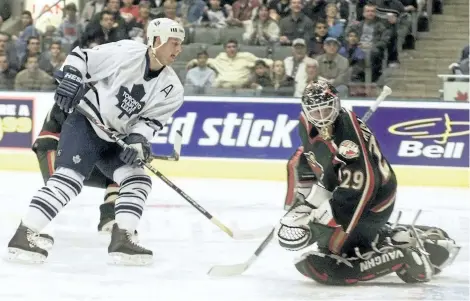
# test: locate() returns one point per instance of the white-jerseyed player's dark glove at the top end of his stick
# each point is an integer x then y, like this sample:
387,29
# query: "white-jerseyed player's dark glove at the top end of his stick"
69,92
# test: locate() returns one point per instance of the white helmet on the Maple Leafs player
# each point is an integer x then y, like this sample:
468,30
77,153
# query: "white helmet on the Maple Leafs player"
164,28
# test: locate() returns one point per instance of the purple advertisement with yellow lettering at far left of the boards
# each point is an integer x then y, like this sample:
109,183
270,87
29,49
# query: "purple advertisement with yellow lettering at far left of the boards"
16,122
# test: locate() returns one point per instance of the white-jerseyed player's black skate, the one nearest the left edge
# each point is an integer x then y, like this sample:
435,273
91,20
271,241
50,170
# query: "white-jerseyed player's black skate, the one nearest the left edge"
23,247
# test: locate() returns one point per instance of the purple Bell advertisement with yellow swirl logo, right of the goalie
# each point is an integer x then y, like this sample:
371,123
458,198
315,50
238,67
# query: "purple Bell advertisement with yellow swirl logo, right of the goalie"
422,136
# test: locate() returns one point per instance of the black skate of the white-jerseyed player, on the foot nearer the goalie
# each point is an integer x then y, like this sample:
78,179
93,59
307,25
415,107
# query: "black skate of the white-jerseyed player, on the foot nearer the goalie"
124,251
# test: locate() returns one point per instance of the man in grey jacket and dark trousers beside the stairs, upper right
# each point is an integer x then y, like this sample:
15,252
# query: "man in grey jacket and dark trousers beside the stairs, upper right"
373,39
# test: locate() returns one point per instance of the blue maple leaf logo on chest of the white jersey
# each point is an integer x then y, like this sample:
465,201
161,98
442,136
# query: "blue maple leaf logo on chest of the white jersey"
130,102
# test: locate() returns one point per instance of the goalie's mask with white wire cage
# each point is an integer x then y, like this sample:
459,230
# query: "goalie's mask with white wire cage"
320,103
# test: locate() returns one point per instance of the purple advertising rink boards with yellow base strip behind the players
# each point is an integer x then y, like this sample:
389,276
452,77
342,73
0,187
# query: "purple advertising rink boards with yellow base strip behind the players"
251,138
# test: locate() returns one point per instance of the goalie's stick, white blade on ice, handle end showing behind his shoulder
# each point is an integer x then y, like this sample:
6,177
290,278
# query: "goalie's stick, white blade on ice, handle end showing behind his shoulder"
237,269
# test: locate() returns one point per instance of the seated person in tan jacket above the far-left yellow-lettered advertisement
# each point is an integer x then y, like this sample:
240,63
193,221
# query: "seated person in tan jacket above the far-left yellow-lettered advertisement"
33,78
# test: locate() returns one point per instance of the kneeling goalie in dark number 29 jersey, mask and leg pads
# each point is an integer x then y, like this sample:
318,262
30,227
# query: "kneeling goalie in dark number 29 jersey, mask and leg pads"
348,219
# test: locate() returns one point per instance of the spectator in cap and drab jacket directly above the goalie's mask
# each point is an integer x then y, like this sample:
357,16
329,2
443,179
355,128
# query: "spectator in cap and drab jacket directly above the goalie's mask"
334,67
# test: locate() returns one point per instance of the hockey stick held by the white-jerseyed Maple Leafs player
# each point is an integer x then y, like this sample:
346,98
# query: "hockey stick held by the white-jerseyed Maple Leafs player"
234,233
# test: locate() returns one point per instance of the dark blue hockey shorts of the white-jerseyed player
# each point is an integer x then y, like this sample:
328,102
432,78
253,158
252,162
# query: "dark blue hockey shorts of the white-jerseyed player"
82,150
